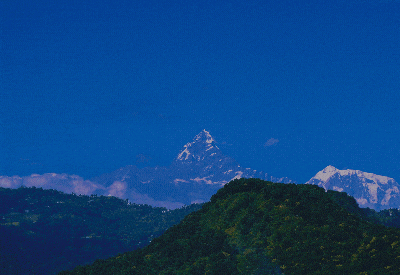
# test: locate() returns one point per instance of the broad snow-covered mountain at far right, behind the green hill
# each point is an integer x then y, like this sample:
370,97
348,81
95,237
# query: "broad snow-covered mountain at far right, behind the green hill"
369,190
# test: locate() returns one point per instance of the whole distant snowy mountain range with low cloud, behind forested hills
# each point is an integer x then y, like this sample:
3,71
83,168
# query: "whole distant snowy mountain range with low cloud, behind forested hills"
197,172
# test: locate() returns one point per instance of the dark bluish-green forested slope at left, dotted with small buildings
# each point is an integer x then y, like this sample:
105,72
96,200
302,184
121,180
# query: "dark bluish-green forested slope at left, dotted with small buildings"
46,231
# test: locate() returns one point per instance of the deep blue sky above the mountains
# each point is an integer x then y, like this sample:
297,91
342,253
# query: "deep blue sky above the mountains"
286,87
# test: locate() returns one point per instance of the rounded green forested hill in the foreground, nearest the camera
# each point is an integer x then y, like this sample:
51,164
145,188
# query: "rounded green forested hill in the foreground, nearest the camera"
257,227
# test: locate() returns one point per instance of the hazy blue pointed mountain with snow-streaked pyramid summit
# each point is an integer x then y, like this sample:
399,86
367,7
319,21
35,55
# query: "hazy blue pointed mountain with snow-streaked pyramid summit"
198,171
